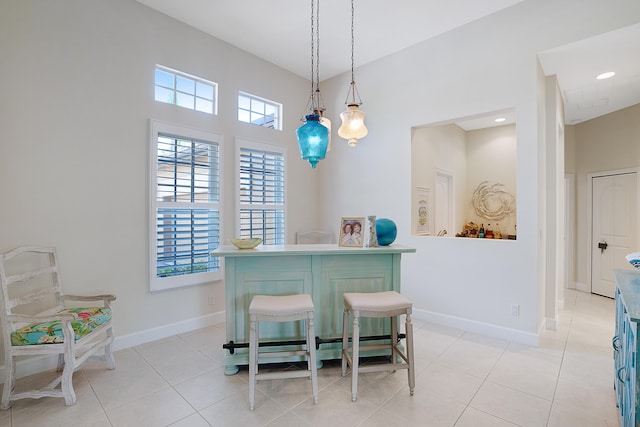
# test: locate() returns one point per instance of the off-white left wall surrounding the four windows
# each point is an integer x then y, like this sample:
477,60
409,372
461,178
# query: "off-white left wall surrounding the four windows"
77,95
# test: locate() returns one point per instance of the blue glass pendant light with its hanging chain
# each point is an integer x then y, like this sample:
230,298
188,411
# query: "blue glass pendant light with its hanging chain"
313,136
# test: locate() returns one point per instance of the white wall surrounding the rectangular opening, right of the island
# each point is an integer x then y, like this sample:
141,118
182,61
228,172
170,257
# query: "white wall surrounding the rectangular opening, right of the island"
487,65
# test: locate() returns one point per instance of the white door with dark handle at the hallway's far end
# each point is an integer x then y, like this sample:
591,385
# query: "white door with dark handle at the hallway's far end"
614,199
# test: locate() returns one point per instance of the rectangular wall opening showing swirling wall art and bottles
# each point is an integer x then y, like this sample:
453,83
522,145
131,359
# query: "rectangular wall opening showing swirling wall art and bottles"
463,177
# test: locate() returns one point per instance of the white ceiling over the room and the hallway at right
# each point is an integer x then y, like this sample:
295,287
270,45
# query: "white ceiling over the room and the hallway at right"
280,31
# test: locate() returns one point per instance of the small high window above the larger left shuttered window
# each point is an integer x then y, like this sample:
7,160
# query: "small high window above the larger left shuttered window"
184,90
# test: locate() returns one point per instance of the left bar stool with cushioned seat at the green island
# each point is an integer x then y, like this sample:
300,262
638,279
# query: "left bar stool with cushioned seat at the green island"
285,308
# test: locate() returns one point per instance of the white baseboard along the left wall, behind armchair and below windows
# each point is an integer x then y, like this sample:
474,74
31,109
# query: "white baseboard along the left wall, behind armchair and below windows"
34,365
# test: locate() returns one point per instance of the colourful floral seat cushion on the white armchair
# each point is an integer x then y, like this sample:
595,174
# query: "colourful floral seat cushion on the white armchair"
51,332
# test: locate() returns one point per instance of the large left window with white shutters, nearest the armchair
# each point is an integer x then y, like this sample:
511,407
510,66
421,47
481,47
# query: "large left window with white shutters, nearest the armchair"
185,206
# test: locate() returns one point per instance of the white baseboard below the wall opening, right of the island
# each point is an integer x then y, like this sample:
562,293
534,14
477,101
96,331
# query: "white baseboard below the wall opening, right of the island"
508,334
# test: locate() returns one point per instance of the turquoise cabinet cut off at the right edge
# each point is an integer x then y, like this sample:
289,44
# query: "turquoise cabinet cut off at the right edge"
625,346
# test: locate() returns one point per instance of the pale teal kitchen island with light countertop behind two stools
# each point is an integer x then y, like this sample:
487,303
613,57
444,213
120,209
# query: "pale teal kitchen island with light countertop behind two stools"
325,272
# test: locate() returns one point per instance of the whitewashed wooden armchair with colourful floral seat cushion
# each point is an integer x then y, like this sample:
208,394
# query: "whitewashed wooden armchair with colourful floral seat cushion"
36,321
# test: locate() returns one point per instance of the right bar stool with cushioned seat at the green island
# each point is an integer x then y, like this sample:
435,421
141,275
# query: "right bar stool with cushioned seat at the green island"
376,304
